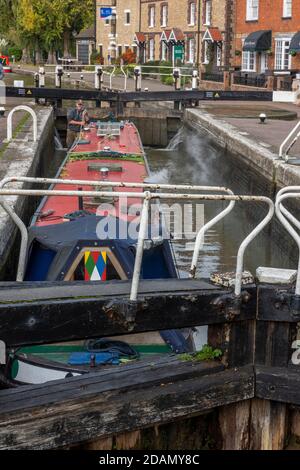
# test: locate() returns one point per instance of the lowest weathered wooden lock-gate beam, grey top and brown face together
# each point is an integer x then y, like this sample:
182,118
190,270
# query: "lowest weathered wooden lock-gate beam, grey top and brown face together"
131,402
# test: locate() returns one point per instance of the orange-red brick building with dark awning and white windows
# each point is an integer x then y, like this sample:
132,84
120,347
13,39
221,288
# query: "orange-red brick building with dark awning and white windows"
267,37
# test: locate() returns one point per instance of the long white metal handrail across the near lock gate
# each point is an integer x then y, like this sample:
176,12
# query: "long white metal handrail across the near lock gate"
147,196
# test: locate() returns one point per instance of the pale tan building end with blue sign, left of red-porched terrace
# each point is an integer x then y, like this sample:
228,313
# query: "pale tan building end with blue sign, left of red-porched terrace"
115,34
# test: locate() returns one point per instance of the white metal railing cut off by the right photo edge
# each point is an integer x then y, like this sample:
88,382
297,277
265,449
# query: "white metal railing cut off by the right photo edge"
287,219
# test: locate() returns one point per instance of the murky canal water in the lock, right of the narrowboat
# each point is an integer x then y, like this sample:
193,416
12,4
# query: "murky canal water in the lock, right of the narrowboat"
195,158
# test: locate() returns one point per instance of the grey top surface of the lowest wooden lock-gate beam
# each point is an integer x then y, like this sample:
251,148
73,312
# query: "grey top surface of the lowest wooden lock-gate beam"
116,379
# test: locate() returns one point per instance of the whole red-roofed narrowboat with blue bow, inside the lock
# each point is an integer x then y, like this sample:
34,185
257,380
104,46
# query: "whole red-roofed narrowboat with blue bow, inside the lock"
64,245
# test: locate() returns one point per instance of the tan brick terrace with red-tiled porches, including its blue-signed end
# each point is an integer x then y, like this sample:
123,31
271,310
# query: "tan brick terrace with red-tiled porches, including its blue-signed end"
200,31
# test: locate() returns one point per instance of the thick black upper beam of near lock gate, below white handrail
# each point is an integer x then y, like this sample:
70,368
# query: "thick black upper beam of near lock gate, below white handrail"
39,314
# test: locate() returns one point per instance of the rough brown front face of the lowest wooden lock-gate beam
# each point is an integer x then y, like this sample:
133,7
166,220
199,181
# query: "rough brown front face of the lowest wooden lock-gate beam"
109,413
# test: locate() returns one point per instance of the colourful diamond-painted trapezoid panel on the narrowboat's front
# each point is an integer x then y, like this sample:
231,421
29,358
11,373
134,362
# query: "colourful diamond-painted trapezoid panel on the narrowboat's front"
96,265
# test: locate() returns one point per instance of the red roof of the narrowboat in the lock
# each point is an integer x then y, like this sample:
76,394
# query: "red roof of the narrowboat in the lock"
120,152
